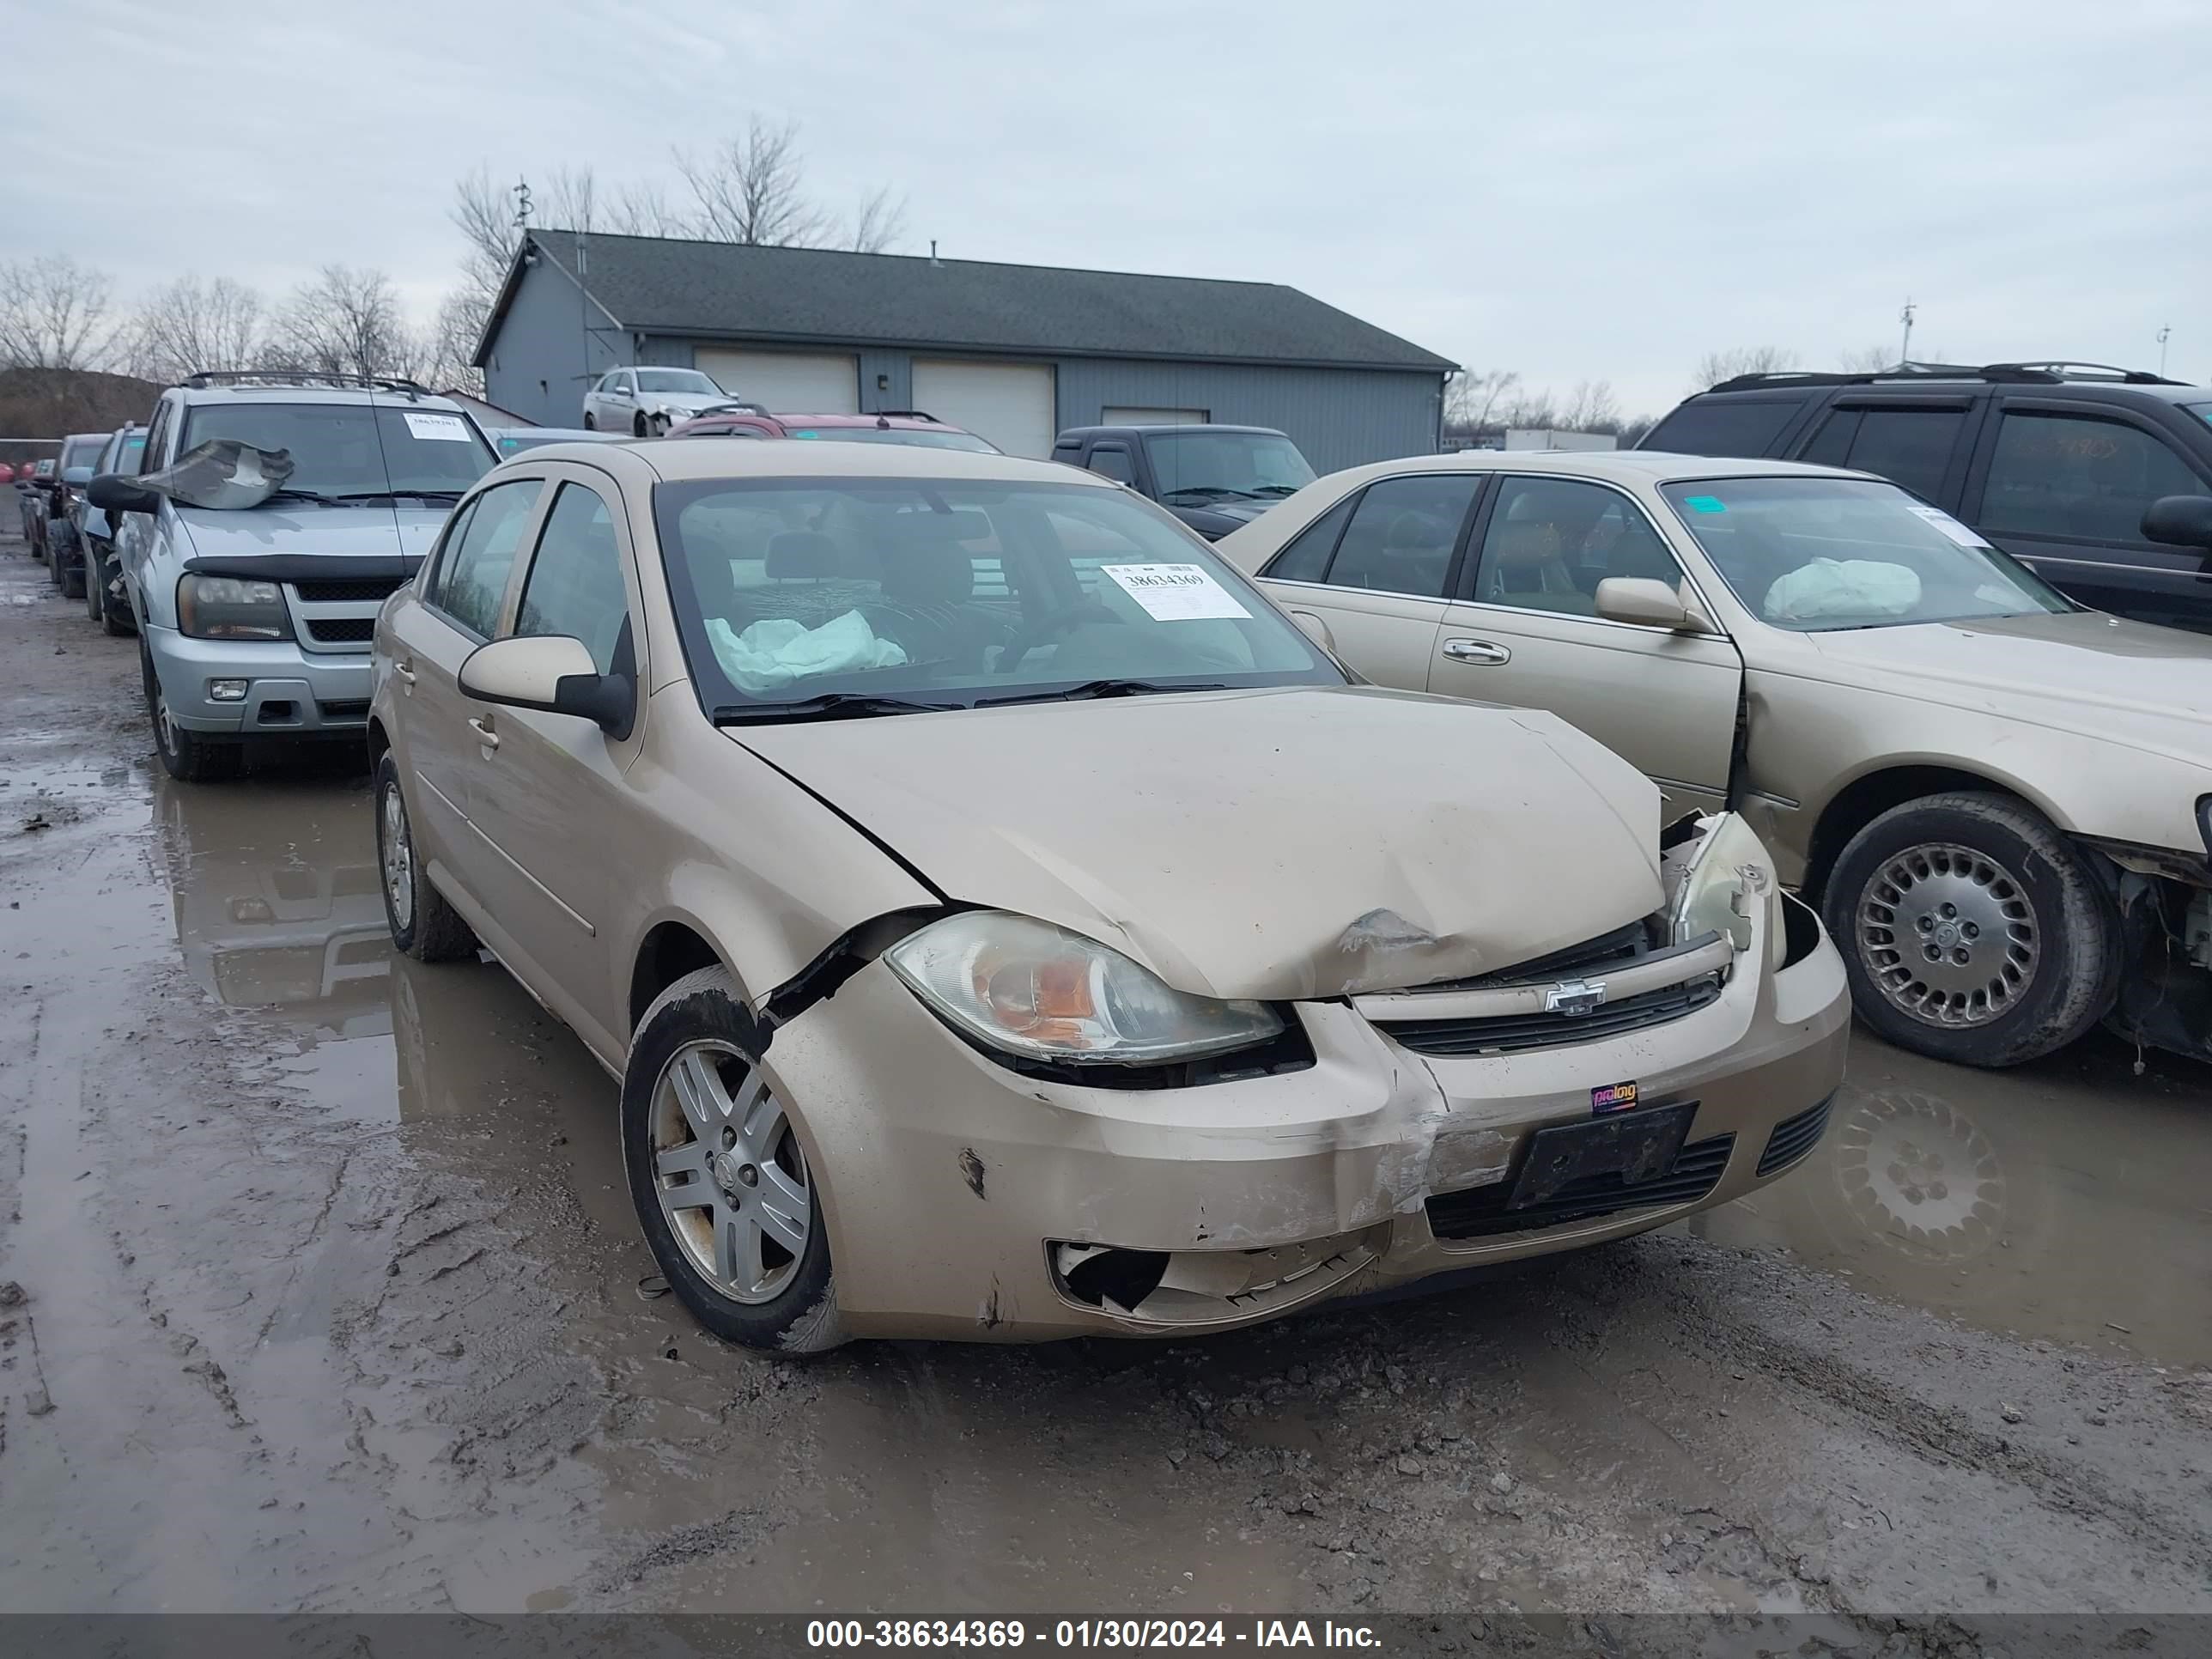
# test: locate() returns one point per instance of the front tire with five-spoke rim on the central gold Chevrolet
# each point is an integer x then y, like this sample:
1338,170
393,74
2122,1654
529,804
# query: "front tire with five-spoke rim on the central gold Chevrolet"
720,1176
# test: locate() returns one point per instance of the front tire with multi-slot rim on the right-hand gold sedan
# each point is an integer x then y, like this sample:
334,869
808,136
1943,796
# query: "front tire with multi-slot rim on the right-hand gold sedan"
1974,930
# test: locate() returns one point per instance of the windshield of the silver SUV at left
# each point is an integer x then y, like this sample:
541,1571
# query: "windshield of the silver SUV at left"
353,448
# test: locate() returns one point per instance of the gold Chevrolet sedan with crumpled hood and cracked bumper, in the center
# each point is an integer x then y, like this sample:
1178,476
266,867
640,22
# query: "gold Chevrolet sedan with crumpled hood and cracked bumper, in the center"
1008,926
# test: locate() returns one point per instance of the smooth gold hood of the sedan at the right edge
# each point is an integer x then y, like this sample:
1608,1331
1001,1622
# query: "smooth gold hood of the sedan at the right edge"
2122,682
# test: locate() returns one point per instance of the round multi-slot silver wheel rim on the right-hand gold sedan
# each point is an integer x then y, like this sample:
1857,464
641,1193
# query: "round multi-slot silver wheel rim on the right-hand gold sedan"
1948,935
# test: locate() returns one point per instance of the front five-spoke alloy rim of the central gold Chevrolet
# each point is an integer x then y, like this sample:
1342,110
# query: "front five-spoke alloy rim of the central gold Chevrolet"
731,1176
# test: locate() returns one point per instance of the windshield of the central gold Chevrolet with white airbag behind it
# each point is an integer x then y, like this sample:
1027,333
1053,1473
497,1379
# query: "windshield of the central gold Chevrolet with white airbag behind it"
954,594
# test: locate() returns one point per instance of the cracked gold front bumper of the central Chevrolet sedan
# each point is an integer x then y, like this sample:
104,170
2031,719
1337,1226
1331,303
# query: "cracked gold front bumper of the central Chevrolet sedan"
974,1202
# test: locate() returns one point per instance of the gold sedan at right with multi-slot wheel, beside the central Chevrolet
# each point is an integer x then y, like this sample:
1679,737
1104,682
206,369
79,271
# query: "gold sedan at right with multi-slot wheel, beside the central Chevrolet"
2001,802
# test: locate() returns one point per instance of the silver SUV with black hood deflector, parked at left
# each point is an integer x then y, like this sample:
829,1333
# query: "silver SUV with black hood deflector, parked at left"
255,620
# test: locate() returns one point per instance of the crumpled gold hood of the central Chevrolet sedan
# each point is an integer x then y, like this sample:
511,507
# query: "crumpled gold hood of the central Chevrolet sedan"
1260,844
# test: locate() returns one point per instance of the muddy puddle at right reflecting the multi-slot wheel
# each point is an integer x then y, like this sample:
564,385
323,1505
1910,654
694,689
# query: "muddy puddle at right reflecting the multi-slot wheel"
2021,1202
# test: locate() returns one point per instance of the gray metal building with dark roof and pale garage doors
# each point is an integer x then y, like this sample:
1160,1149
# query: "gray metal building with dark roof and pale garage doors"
1014,353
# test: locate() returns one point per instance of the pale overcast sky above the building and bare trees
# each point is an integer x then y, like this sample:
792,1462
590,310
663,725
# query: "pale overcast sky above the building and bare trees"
1574,191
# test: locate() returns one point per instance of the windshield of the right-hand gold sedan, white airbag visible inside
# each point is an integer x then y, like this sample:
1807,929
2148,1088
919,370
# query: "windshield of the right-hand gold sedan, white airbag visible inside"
1817,554
